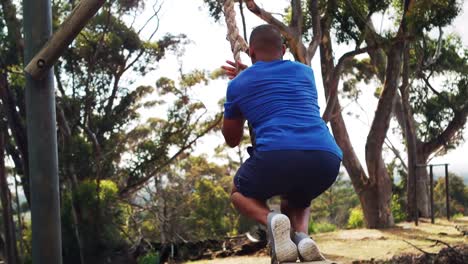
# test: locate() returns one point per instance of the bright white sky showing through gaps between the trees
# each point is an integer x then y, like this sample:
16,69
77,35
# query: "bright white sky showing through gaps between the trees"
209,49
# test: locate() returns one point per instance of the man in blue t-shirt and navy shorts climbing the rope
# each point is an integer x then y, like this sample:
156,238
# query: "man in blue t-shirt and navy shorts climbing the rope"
295,156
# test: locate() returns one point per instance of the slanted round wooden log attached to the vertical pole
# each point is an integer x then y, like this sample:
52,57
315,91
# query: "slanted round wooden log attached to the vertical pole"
53,49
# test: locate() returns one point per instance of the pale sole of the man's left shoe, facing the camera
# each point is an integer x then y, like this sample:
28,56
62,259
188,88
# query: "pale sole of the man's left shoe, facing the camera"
282,246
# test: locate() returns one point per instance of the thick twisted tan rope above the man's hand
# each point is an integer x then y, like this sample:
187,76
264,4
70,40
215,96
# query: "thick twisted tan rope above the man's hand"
238,43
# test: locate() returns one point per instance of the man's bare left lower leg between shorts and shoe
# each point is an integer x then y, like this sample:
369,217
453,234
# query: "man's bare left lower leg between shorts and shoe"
252,208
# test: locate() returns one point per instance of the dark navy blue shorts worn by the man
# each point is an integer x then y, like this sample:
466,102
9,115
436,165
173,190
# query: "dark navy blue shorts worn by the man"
296,175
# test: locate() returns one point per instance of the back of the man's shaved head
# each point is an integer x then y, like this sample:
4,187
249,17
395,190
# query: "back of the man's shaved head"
266,39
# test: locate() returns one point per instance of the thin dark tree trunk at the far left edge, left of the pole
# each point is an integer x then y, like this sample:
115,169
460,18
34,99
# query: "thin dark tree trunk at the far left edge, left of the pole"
11,252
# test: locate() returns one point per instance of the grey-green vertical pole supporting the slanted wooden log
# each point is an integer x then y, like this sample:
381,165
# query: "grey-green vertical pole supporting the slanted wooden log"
42,140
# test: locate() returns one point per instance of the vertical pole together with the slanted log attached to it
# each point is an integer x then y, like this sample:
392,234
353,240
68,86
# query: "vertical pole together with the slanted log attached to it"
42,50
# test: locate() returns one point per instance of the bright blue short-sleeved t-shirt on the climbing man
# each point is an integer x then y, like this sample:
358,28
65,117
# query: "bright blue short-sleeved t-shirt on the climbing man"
279,99
